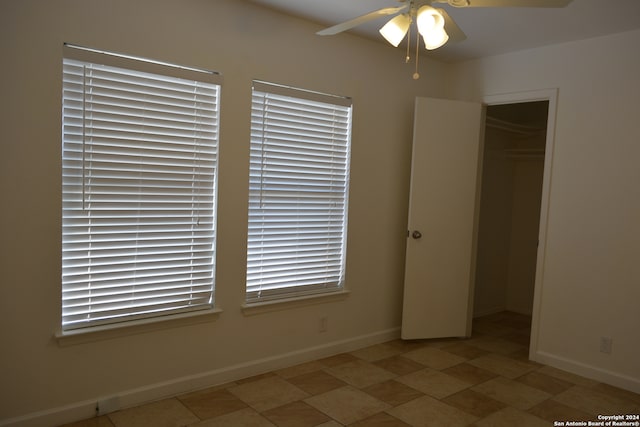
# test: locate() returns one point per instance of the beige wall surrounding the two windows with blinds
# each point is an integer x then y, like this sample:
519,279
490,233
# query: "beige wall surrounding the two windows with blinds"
244,43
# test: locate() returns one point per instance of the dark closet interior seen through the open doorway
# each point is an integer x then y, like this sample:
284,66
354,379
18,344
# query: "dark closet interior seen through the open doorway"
511,199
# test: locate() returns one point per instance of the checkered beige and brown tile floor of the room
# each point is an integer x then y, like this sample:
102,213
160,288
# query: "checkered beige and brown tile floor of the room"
483,381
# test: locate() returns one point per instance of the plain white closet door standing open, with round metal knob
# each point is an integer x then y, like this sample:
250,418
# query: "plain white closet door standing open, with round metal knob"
443,217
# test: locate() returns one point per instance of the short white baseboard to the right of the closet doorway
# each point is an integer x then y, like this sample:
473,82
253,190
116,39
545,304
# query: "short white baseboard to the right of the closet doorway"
588,371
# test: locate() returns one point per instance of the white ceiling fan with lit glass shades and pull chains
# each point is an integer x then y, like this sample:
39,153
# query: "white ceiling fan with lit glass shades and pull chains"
434,25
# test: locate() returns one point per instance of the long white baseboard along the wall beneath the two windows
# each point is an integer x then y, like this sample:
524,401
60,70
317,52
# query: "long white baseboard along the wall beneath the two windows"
129,398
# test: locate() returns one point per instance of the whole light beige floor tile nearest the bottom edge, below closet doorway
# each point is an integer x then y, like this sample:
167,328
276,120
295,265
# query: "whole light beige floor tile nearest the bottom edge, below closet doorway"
512,393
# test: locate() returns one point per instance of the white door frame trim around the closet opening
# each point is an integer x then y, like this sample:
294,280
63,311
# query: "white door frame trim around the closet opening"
550,95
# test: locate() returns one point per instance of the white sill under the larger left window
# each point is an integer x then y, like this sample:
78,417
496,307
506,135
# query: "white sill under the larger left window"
104,332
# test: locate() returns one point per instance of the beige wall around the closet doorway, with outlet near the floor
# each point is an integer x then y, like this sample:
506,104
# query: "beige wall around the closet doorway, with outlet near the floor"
589,286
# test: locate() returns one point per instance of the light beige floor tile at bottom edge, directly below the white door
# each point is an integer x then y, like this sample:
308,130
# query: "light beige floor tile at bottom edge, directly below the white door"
429,412
